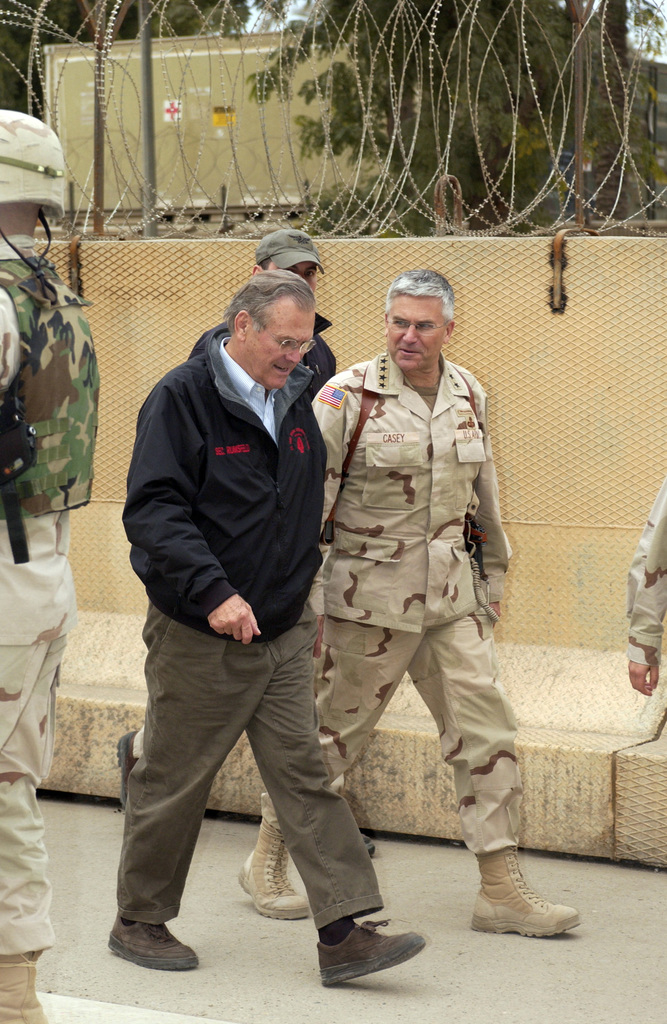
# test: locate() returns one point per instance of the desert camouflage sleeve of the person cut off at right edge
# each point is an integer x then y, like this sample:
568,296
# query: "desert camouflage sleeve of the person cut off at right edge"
647,592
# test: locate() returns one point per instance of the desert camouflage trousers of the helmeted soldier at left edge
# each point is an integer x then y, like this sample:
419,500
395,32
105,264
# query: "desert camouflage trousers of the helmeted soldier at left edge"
28,682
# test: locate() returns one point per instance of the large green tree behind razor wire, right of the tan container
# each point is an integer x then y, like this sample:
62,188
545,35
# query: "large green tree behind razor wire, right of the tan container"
415,90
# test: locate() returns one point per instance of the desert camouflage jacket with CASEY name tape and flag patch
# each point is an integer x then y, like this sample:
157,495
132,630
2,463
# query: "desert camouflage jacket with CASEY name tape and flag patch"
399,559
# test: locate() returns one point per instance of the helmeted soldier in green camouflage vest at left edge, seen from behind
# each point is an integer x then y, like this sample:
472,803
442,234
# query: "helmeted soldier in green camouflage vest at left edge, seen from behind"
49,401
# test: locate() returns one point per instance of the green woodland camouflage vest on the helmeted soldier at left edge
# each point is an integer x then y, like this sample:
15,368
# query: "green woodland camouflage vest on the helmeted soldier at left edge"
59,387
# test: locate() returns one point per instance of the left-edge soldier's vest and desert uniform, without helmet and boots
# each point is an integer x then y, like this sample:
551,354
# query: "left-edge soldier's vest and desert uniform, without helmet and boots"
37,600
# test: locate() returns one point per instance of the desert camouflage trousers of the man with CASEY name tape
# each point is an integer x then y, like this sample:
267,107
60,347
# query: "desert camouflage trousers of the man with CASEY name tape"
455,671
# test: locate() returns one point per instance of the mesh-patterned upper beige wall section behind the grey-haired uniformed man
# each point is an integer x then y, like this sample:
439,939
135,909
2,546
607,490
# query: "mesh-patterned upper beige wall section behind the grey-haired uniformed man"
575,398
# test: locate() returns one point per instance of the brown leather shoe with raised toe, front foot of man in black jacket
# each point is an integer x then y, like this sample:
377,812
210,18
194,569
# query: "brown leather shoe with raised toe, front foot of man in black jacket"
364,952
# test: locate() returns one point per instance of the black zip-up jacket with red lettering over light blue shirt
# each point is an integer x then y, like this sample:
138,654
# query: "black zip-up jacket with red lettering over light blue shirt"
216,507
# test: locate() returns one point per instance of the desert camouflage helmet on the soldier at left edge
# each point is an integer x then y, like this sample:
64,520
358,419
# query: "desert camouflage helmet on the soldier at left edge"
32,164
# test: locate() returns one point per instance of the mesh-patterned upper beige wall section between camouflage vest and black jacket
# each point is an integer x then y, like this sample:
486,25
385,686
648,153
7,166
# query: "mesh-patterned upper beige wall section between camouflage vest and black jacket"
152,303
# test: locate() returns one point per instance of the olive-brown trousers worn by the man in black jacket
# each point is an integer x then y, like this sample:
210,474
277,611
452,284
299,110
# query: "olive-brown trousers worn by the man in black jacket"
203,694
